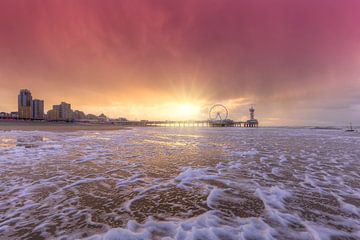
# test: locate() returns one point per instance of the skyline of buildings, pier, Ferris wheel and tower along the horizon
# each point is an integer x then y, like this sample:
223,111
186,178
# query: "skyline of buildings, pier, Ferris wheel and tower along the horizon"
33,110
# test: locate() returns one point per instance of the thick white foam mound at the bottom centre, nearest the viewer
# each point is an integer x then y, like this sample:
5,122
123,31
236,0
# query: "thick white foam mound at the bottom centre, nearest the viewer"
206,226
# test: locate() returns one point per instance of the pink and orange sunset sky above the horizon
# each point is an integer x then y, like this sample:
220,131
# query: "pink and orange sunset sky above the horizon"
297,62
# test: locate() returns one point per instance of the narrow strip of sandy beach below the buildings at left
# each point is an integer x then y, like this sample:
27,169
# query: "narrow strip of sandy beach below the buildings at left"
54,126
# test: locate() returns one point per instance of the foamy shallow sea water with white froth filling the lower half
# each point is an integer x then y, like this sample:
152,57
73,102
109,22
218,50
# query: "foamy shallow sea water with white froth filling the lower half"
180,183
